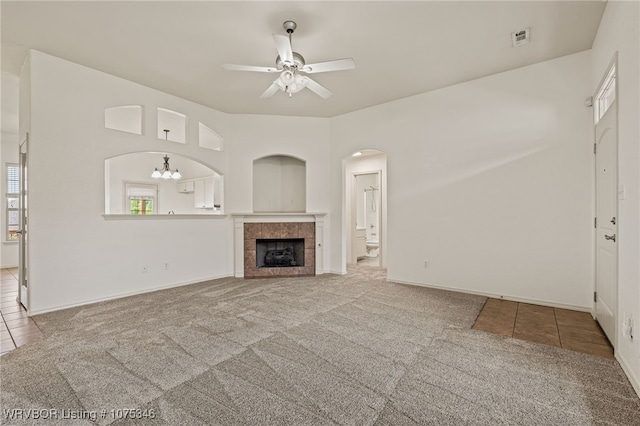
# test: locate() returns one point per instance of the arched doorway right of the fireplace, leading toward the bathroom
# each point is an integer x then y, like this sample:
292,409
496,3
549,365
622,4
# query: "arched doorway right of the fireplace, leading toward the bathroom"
365,191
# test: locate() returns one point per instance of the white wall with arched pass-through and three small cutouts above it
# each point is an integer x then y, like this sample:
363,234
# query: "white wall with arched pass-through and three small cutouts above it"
76,255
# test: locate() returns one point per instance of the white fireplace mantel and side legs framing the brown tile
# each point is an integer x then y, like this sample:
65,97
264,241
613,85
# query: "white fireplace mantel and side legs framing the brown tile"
239,238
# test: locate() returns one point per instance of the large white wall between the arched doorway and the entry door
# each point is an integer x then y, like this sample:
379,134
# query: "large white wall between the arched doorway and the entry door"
490,181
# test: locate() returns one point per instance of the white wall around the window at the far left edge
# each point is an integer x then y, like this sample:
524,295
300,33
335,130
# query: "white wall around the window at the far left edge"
8,154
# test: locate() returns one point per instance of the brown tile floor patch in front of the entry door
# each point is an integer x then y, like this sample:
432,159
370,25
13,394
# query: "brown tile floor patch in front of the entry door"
572,330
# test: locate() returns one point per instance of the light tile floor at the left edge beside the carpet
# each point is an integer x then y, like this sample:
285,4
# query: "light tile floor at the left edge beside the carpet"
16,328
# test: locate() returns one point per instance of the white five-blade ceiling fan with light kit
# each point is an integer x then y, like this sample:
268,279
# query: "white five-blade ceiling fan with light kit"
292,68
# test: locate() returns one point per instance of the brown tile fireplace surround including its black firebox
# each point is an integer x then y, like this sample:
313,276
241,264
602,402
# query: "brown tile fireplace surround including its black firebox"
281,249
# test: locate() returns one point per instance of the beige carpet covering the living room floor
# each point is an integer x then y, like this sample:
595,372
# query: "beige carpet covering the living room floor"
328,350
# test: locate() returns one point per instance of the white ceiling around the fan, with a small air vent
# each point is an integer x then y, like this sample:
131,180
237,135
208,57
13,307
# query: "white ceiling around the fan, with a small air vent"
400,48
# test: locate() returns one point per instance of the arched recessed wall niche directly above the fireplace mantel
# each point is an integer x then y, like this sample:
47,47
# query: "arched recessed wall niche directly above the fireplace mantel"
279,185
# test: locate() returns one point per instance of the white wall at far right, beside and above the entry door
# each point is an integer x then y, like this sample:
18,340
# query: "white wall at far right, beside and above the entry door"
619,32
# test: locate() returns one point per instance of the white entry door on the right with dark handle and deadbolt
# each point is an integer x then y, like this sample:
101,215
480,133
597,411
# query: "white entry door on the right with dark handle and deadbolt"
607,222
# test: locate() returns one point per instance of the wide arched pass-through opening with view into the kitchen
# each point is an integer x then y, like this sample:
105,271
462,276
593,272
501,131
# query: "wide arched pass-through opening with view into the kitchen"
130,189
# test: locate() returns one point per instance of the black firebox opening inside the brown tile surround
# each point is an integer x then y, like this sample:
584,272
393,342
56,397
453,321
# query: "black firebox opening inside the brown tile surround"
280,253
